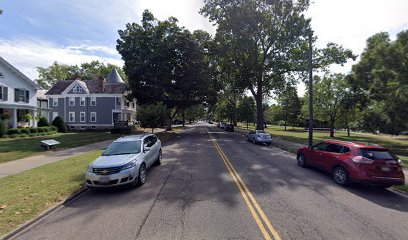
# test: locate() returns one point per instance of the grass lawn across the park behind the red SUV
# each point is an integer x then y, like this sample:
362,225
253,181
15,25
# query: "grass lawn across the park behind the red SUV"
398,145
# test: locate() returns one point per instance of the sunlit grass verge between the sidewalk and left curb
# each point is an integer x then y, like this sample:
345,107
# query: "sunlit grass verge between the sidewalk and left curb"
25,195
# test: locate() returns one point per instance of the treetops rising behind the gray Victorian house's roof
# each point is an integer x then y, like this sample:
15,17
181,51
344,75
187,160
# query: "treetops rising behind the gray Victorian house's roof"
50,75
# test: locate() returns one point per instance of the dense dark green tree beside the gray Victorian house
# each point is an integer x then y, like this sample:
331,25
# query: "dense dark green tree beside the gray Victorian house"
165,63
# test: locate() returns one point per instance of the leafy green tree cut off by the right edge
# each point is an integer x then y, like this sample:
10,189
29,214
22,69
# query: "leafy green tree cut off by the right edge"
381,79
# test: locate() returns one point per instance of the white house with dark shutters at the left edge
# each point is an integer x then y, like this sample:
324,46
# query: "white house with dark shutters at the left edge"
18,96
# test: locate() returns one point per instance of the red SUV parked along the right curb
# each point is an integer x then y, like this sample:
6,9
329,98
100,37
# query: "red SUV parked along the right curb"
354,162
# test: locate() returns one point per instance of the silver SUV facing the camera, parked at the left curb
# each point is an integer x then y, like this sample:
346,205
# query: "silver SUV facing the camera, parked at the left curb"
124,162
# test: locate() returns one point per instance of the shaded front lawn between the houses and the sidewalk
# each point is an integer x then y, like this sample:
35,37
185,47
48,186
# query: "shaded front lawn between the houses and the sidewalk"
16,148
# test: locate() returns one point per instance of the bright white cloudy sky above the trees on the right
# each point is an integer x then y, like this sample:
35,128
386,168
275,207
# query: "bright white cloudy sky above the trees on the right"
350,22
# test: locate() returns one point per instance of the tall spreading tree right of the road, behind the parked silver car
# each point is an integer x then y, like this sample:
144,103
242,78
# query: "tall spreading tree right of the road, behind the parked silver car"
269,39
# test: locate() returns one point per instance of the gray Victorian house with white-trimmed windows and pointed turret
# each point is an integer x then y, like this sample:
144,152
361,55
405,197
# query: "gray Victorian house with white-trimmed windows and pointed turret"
91,104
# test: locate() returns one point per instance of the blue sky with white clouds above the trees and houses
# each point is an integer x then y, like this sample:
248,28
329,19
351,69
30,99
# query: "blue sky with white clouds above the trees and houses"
38,32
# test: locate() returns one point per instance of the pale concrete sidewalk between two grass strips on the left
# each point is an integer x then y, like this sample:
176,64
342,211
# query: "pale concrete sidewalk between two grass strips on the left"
16,166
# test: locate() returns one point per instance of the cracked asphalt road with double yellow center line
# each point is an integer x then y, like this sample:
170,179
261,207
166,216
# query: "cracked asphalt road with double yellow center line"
261,194
